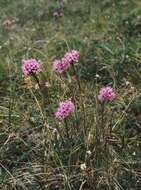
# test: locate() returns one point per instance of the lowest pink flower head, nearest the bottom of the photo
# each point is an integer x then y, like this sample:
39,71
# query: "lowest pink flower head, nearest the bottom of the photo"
64,109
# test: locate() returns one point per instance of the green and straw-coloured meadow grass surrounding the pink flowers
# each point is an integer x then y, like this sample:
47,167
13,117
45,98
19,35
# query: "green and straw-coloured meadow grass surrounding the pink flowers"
107,33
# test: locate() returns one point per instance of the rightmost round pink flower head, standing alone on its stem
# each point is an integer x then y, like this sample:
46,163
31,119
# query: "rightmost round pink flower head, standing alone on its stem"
106,94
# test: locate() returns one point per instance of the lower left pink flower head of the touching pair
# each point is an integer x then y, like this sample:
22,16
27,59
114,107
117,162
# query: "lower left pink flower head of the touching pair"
60,66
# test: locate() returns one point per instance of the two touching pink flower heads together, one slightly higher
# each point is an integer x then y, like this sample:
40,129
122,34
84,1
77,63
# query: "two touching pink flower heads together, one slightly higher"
61,65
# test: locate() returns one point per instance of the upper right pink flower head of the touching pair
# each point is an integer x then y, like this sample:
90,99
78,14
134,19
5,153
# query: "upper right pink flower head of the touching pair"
72,56
